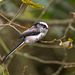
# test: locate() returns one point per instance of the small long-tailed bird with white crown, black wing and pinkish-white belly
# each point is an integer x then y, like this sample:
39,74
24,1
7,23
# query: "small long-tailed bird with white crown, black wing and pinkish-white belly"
31,35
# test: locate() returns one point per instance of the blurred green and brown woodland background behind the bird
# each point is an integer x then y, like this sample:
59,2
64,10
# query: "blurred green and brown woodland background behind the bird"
40,59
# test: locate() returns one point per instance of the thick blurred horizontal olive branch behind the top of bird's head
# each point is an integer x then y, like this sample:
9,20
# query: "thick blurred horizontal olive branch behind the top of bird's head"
64,22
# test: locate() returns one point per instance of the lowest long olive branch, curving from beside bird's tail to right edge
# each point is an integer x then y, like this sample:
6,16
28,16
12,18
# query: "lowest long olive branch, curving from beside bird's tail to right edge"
26,55
